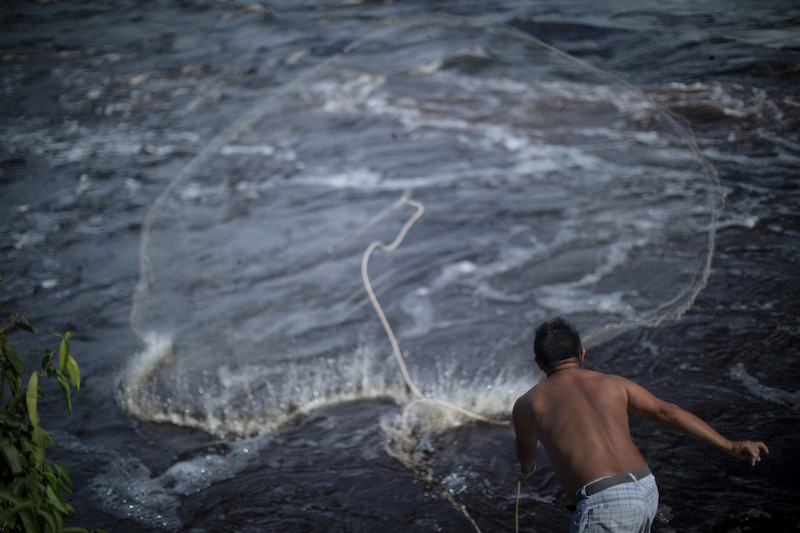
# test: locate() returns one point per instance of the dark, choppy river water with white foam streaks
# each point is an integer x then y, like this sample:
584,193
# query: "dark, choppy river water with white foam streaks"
195,189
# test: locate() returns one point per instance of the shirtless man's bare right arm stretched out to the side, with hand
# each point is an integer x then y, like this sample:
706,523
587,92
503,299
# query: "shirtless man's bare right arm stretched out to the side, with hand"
642,402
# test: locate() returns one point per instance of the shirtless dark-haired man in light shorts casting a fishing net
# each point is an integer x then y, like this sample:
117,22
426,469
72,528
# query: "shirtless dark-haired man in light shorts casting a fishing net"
581,418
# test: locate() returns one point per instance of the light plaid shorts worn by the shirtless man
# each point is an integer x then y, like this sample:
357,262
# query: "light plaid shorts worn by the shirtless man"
628,507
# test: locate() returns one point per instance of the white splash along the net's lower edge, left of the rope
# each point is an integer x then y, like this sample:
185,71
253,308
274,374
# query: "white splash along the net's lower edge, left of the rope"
230,409
